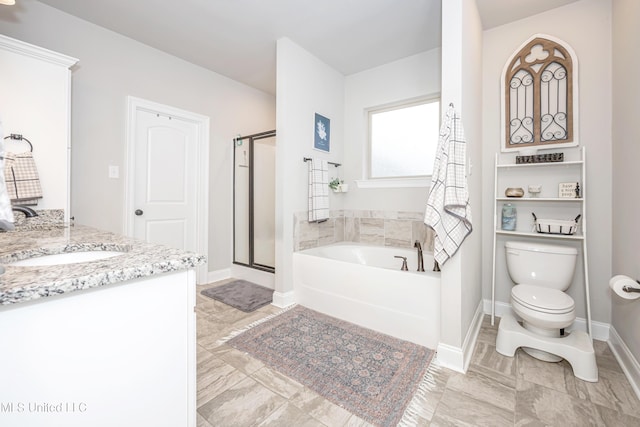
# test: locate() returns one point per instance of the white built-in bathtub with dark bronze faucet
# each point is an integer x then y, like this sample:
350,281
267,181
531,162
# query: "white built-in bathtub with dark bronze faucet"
364,285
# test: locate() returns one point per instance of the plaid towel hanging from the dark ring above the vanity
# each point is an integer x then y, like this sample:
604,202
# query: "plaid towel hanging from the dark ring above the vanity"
21,177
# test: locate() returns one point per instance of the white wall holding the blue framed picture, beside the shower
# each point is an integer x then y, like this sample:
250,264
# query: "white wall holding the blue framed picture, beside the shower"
305,86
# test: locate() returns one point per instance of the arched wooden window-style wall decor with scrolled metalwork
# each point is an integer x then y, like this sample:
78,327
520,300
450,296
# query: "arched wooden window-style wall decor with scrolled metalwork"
539,96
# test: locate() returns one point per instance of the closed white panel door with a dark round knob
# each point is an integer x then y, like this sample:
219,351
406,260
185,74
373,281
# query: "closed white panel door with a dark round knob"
165,208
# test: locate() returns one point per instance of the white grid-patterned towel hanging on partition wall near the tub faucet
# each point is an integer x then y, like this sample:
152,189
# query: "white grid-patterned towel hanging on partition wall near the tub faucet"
448,211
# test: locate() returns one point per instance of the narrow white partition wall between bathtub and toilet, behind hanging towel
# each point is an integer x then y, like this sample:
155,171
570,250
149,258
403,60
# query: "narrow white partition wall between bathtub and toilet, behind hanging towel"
460,294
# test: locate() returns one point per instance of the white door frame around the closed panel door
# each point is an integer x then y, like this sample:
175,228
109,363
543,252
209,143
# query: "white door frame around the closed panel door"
202,181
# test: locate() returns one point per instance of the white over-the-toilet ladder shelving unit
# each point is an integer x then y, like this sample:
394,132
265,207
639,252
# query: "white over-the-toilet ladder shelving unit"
549,175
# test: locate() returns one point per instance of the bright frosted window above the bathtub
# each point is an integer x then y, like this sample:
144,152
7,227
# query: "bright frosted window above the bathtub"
403,139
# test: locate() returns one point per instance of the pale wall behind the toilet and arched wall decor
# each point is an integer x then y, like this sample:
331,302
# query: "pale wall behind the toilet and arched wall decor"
586,27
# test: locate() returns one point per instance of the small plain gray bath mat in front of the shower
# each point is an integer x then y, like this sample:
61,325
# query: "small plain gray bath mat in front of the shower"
240,294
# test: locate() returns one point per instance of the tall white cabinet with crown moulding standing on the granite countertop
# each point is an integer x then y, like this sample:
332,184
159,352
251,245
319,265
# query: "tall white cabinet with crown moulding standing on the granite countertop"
36,103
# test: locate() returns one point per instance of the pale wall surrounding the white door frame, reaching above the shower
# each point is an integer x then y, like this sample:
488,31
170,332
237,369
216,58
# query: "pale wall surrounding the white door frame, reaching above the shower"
110,68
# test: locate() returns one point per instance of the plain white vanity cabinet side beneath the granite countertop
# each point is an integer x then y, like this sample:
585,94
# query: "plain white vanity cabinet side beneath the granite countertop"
116,355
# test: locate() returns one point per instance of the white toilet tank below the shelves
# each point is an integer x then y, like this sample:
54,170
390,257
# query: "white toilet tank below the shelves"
539,264
